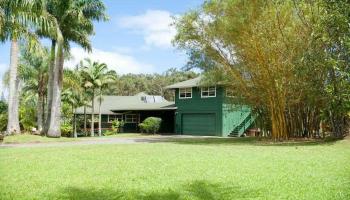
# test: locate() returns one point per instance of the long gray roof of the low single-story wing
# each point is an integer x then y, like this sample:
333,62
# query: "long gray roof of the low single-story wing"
141,101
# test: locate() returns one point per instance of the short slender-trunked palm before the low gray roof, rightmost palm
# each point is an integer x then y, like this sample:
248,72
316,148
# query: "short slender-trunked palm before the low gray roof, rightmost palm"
95,77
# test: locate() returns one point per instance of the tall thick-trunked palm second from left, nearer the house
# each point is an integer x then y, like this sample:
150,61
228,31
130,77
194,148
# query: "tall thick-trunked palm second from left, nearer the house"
74,19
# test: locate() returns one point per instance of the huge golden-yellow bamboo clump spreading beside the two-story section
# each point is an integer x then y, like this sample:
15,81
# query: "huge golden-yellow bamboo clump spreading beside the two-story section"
257,47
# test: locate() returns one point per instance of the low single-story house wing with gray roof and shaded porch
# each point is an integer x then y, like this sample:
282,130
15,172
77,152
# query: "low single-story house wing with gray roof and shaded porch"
132,110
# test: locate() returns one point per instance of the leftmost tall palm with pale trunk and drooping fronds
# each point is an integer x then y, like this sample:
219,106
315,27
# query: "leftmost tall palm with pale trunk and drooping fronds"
17,19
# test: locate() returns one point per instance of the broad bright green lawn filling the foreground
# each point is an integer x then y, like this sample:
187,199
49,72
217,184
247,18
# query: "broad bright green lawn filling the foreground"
179,169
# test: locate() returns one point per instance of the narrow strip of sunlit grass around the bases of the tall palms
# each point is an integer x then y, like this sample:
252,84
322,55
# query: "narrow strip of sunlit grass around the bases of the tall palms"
27,138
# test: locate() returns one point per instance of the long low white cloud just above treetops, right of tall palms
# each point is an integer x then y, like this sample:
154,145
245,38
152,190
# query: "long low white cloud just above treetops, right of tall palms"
119,62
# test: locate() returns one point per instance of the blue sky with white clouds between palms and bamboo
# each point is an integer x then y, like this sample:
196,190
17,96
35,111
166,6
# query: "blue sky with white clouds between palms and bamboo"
136,39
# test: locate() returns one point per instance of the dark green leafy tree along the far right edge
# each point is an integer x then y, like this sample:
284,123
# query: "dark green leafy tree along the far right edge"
333,33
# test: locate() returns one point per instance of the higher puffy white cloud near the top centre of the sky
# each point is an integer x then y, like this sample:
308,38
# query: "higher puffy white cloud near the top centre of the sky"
154,25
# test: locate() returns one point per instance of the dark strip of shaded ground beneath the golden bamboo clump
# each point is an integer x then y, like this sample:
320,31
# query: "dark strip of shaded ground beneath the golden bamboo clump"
248,141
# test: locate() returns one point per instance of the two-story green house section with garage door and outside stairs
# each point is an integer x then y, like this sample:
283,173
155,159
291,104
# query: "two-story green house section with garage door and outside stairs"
208,111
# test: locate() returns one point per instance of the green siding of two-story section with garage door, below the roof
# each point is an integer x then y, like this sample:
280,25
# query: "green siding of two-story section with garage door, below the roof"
208,116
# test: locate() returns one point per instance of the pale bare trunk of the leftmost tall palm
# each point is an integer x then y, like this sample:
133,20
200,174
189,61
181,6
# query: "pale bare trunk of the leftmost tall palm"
13,101
